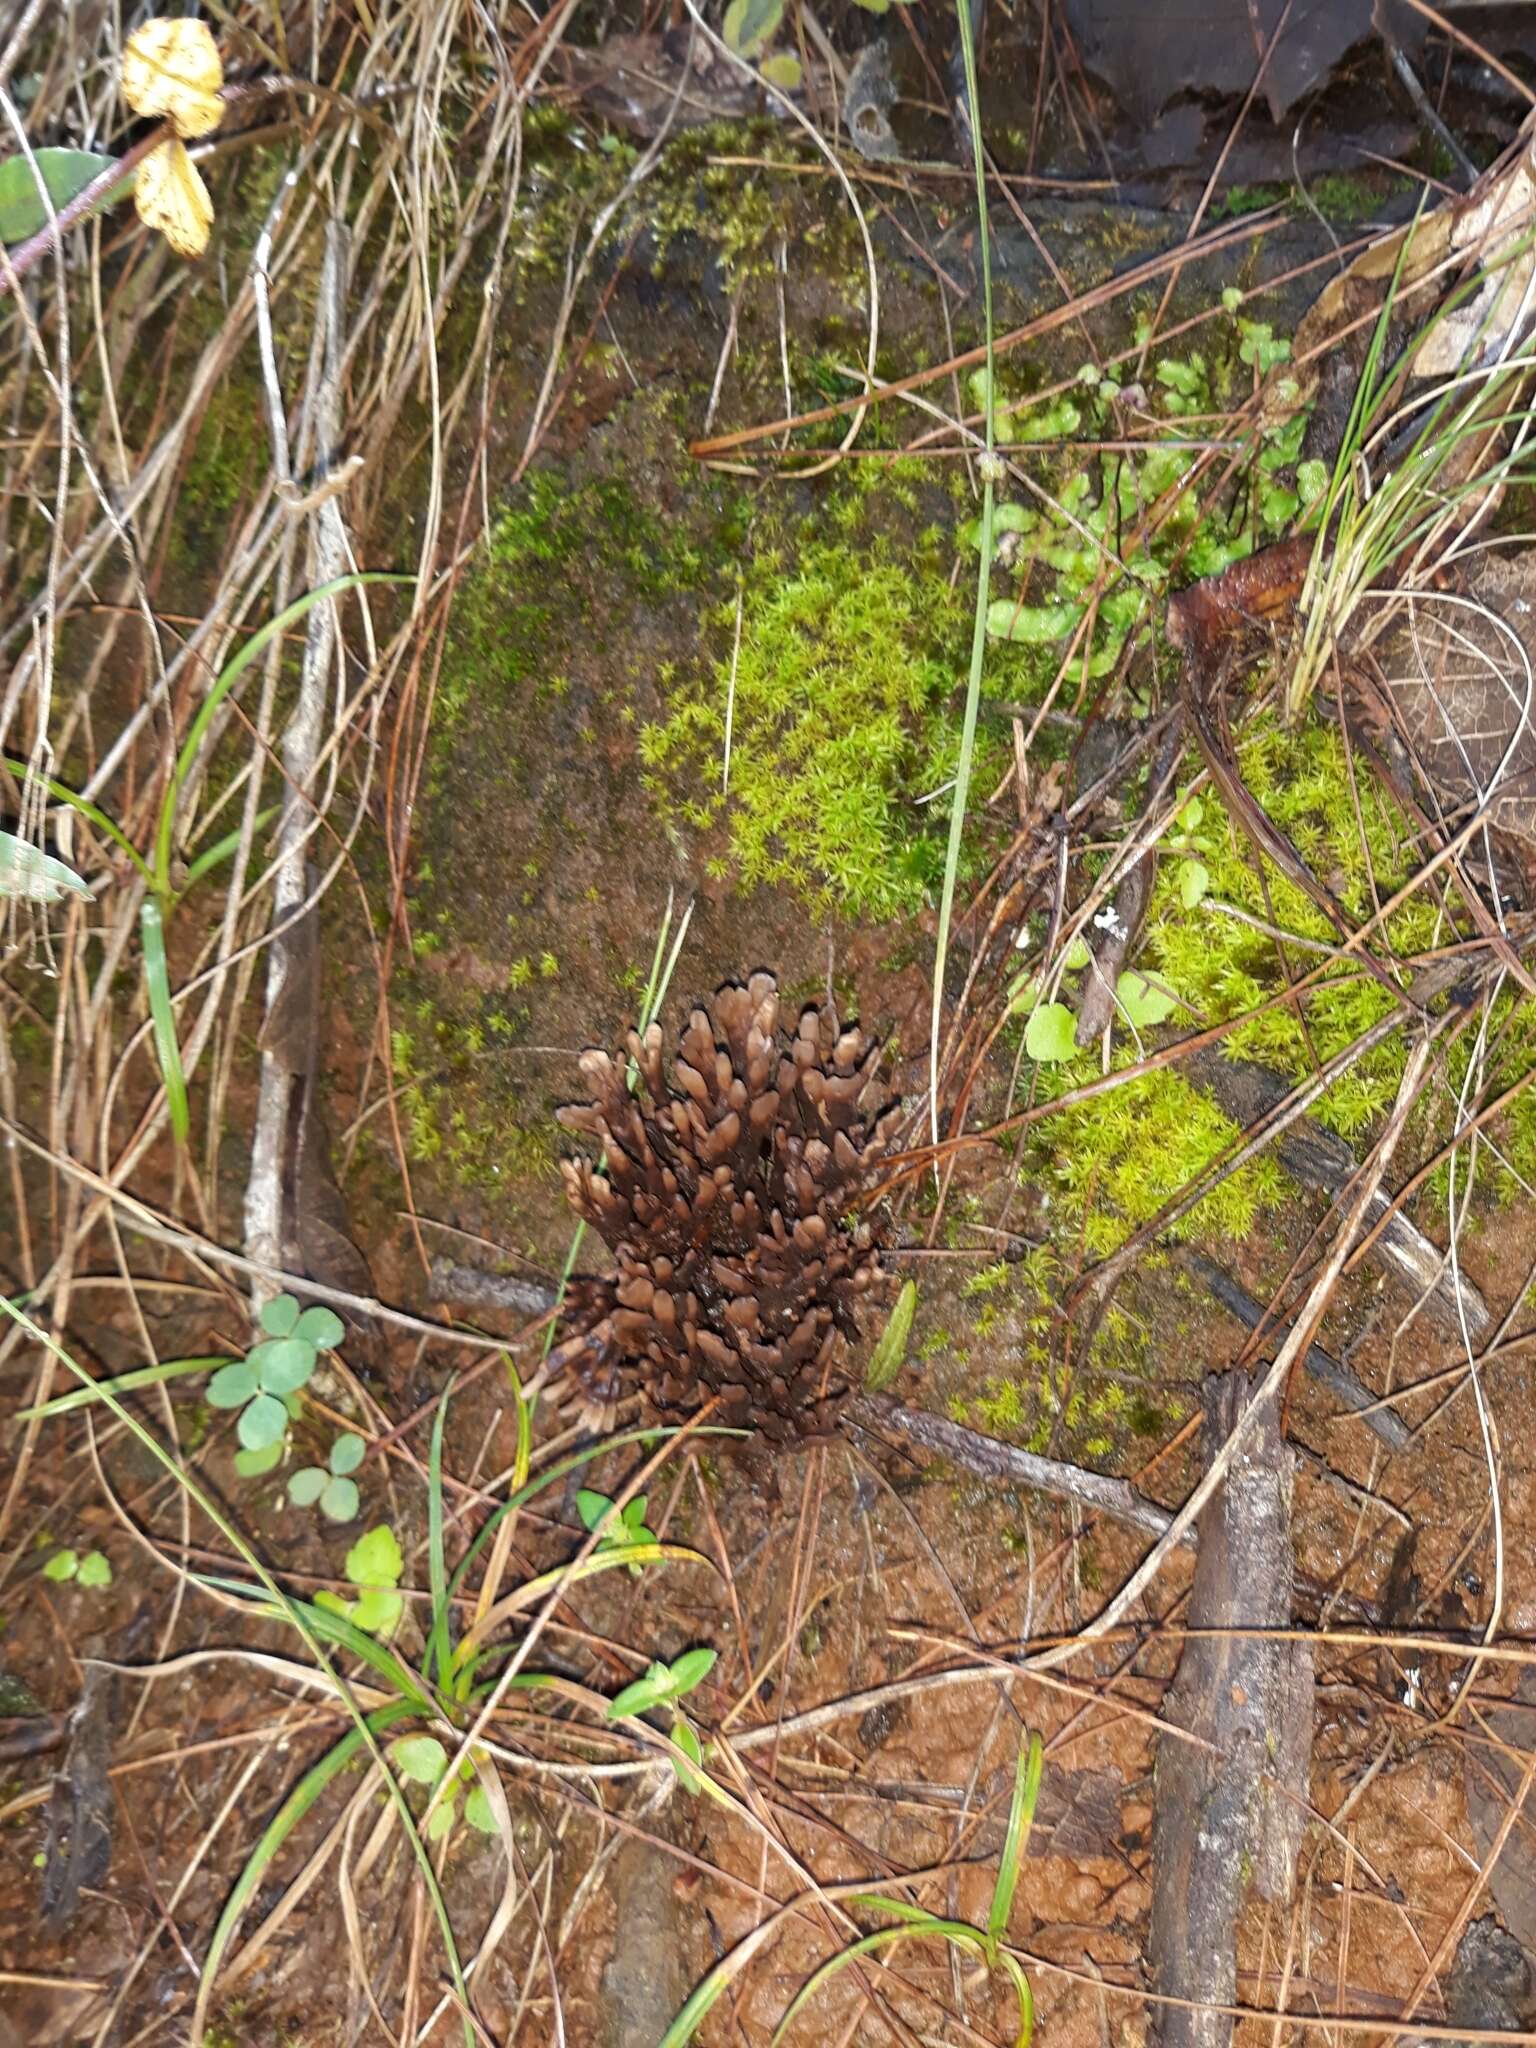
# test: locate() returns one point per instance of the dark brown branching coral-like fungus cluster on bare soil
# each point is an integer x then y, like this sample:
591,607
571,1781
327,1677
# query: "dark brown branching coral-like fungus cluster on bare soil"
726,1197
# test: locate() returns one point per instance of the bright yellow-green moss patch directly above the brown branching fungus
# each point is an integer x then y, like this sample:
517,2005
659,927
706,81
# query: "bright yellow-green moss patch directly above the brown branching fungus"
845,697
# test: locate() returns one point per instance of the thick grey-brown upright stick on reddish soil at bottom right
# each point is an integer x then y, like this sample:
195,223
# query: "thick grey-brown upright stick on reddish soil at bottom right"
1230,1805
